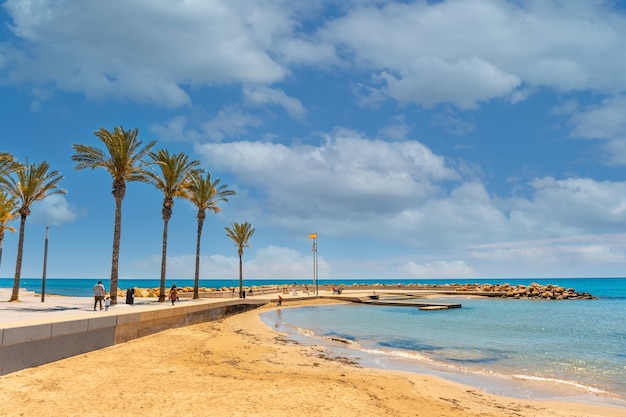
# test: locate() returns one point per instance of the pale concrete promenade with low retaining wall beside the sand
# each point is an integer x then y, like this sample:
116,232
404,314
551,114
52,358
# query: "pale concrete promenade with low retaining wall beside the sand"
34,332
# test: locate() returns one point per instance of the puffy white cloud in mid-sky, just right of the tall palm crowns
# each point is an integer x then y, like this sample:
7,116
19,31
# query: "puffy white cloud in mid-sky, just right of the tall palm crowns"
346,173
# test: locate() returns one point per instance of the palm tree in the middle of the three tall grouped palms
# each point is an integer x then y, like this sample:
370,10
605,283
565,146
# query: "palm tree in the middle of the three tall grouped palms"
173,176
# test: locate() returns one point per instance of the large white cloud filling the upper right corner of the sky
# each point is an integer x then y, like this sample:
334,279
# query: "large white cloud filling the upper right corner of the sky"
464,52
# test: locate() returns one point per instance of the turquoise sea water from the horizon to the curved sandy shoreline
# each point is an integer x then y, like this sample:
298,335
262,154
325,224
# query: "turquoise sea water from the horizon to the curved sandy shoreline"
569,349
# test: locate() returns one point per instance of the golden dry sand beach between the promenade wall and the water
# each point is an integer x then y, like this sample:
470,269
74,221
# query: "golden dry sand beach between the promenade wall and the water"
240,367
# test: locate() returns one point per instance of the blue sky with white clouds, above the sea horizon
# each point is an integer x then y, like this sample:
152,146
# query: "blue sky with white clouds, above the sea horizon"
418,139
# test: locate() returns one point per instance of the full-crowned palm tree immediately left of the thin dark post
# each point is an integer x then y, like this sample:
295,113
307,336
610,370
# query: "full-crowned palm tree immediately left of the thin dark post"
28,184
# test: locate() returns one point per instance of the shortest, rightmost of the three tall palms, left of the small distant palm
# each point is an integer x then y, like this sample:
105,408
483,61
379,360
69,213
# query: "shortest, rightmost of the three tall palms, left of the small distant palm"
205,195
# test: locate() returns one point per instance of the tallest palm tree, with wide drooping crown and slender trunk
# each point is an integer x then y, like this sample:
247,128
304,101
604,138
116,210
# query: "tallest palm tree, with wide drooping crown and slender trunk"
123,159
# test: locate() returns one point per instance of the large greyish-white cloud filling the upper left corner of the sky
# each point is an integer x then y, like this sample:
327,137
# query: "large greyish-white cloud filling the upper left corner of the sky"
154,49
